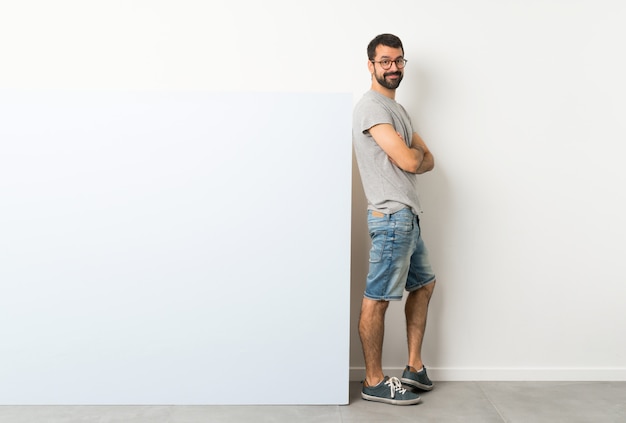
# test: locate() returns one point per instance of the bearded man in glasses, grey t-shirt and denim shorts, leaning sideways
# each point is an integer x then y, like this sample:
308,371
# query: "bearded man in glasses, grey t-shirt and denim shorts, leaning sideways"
390,156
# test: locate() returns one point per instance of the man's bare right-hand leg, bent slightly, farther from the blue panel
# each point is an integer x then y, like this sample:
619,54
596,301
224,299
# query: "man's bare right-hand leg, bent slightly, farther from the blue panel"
416,310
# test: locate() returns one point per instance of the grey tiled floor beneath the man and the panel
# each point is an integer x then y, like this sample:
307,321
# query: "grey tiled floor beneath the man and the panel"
448,402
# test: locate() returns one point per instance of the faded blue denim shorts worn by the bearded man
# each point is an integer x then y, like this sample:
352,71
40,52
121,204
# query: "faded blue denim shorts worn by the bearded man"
398,257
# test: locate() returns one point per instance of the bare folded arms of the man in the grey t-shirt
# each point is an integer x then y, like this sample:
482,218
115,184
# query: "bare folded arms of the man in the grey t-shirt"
415,158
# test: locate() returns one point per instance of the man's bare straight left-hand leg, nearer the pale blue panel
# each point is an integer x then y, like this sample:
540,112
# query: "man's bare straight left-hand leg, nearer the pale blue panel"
371,331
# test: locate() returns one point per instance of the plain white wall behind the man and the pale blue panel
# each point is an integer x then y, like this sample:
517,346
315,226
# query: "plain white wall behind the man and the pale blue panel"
521,102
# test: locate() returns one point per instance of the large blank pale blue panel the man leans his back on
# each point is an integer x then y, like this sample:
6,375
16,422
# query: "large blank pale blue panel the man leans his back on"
157,247
